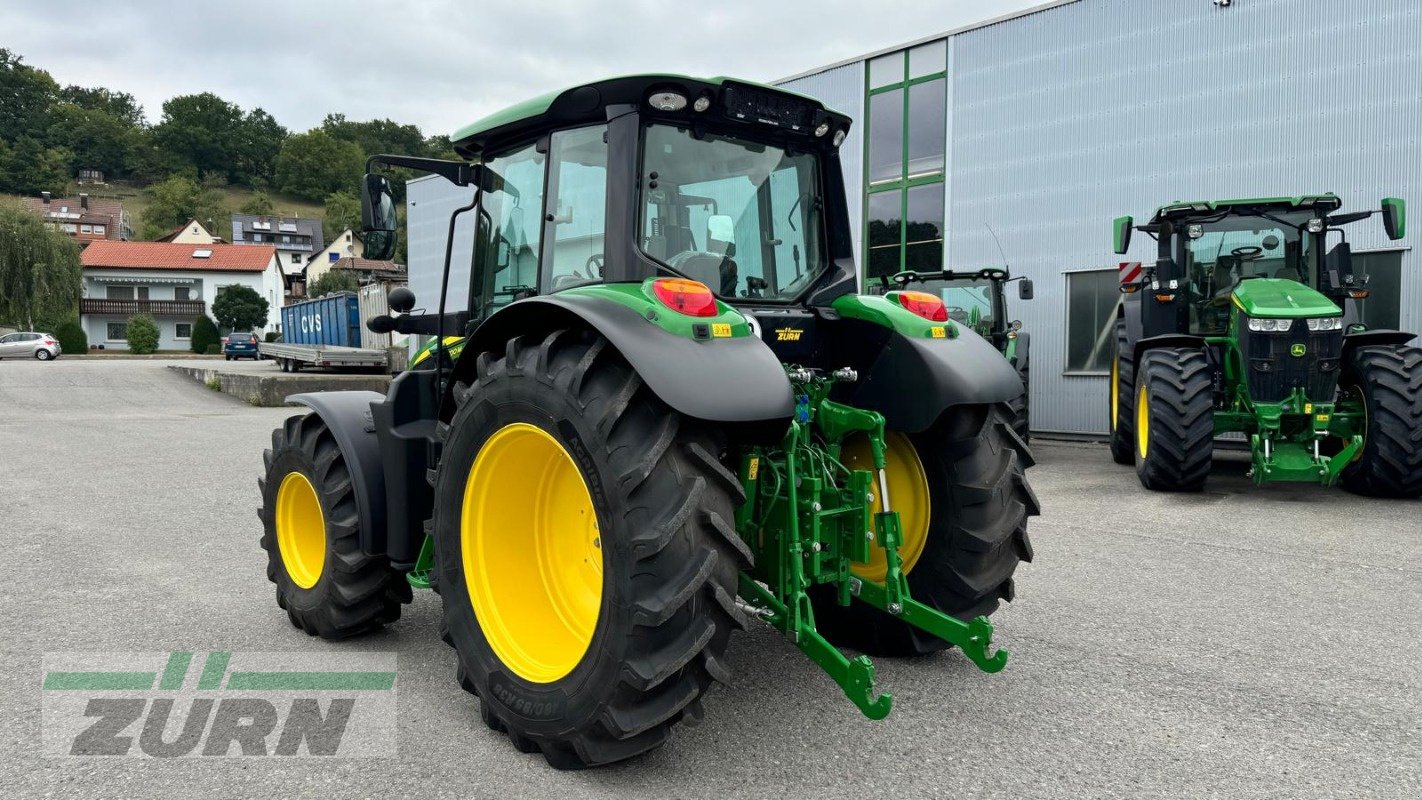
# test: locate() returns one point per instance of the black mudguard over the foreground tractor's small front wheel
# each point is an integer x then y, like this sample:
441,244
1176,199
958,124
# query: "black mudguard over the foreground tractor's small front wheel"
349,417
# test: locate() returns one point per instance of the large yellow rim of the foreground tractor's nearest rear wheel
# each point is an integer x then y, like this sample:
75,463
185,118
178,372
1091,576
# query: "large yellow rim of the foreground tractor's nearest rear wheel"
533,556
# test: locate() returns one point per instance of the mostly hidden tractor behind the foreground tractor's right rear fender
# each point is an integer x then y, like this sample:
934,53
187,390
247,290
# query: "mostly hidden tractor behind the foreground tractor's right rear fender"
979,301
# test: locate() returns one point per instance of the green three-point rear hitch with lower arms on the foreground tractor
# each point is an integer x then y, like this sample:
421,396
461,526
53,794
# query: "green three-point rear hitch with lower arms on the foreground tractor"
808,519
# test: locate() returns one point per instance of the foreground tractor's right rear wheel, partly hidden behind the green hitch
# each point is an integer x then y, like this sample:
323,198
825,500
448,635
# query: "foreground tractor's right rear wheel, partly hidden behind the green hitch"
962,494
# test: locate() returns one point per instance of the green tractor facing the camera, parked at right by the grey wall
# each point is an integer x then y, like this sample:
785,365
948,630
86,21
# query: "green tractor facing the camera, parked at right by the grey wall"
1249,323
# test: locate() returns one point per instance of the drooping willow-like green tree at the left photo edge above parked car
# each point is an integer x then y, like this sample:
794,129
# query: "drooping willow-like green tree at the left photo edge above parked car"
39,269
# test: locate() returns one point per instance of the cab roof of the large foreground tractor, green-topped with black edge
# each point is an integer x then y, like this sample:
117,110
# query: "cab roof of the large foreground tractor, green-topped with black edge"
588,103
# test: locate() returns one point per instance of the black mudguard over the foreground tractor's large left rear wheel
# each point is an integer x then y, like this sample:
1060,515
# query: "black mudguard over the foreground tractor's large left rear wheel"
733,380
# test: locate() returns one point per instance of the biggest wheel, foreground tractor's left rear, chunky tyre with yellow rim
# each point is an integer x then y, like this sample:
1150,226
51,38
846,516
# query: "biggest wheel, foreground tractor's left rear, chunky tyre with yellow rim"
585,552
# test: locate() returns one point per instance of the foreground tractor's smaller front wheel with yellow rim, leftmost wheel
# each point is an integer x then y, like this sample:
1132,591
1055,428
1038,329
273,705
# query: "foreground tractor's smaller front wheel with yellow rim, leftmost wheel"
311,531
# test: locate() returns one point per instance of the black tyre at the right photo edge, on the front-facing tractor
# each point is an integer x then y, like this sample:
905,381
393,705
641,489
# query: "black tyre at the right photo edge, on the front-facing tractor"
1389,382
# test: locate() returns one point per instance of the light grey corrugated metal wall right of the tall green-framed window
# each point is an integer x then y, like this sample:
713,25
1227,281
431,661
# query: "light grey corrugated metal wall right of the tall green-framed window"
1066,119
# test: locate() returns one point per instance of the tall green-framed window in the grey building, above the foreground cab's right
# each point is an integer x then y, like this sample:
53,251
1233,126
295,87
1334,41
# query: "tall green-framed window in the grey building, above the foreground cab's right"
905,160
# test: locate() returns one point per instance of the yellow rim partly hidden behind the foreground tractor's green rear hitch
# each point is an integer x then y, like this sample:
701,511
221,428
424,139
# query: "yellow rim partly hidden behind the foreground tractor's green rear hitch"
908,495
